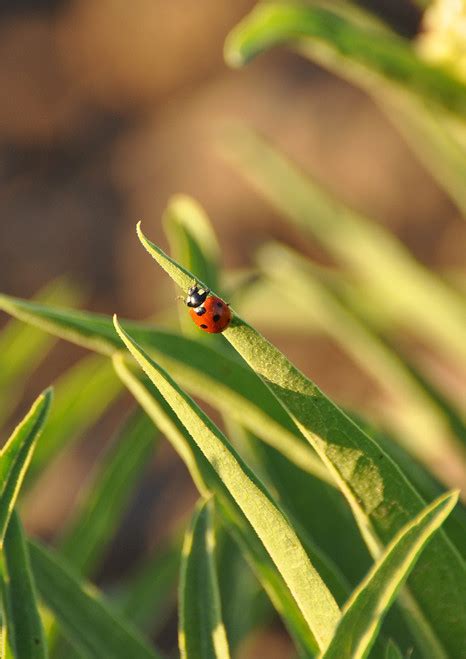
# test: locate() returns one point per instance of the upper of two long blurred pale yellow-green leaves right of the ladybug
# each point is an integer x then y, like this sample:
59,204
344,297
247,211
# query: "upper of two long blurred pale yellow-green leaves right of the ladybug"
389,277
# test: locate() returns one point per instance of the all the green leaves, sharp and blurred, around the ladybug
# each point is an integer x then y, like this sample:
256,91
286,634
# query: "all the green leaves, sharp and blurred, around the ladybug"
336,521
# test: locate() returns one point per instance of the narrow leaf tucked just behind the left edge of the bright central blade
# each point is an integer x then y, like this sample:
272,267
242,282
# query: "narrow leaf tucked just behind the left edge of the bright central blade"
208,481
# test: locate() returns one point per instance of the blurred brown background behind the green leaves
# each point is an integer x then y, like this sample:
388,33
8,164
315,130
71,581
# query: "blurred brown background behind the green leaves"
108,108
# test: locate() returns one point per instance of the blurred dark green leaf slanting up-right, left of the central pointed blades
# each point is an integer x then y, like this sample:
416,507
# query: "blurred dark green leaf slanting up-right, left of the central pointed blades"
104,502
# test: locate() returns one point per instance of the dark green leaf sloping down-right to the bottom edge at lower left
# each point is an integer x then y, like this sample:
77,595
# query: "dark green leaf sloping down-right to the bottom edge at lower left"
85,618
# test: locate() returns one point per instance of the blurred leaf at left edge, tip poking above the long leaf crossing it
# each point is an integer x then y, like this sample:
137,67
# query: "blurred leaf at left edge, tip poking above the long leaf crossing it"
23,348
